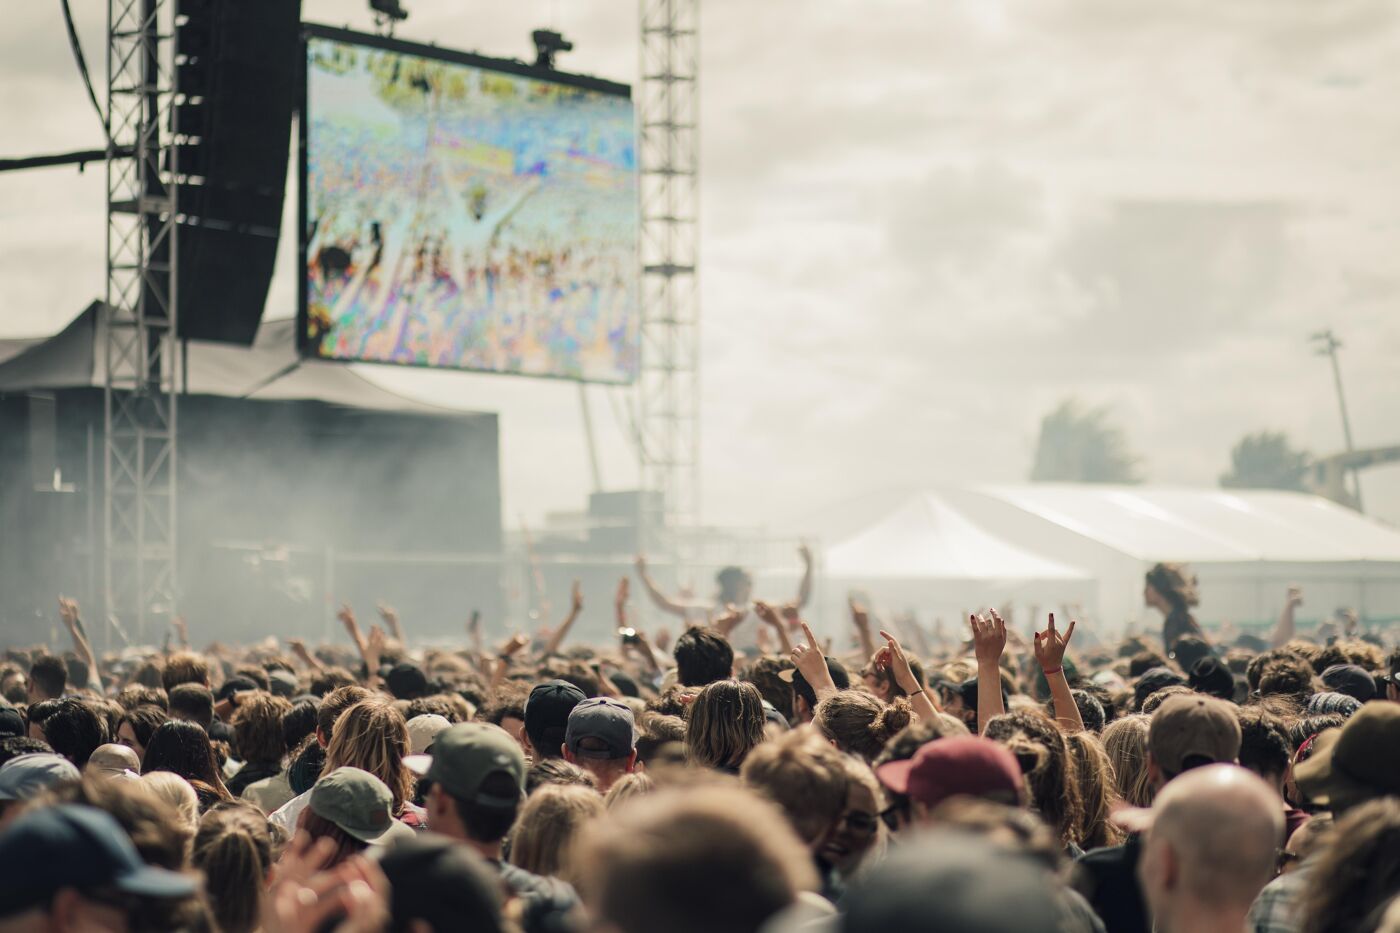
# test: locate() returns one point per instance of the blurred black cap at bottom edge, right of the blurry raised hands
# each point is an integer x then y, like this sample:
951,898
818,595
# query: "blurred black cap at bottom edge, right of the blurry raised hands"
442,882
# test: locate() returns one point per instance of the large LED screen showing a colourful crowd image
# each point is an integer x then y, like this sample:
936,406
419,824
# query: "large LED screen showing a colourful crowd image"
467,214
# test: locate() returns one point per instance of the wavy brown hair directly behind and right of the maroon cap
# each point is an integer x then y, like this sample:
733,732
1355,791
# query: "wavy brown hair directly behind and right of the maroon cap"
1049,768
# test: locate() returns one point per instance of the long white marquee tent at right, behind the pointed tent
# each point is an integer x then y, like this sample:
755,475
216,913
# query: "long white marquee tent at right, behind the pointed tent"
1245,546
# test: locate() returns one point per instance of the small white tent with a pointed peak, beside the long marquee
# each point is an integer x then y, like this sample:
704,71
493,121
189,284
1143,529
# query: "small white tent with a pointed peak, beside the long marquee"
929,557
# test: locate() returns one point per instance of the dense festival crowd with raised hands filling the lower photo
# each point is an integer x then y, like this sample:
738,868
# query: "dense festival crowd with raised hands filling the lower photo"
713,782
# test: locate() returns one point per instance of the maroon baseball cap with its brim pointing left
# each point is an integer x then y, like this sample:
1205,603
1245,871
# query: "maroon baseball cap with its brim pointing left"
962,766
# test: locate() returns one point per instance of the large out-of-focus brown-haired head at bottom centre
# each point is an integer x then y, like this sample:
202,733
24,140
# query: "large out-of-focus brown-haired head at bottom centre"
639,868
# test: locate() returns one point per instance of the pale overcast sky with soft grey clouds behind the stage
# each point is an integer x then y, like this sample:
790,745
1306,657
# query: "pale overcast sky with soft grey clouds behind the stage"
925,225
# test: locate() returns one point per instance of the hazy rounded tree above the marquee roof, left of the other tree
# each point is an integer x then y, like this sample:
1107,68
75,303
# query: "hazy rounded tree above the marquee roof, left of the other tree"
1081,446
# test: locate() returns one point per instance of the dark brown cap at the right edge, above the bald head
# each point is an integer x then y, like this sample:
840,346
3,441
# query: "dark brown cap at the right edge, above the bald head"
1357,763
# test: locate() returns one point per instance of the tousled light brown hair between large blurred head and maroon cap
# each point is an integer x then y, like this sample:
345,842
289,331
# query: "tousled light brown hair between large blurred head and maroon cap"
803,775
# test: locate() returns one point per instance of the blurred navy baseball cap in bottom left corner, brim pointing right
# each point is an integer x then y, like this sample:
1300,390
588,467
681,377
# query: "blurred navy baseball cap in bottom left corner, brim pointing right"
76,847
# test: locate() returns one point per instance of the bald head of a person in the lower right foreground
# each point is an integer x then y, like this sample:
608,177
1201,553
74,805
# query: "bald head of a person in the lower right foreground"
1213,845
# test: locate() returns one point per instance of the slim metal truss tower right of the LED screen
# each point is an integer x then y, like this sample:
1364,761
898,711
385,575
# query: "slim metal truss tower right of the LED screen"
670,385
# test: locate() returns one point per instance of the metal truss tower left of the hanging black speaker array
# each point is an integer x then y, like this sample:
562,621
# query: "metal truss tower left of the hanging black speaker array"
138,331
